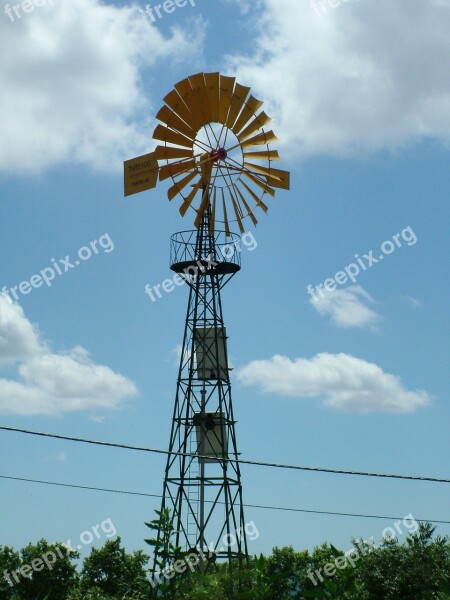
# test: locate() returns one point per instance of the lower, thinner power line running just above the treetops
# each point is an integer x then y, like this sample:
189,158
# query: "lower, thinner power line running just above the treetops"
259,506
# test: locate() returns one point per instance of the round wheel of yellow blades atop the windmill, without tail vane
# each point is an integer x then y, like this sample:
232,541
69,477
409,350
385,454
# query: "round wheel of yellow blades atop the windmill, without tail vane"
213,136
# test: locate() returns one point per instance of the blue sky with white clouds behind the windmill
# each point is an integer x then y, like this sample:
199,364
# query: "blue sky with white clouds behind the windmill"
337,322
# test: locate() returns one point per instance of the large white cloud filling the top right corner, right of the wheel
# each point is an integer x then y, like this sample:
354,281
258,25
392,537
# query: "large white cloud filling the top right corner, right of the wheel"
367,75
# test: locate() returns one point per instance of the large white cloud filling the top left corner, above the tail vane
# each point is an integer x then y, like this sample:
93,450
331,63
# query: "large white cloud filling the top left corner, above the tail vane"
71,80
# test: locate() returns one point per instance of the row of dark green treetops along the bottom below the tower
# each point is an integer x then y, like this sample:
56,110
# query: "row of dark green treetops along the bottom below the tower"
418,569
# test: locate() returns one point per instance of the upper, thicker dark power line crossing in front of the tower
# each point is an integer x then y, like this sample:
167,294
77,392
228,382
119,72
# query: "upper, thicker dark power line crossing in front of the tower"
241,461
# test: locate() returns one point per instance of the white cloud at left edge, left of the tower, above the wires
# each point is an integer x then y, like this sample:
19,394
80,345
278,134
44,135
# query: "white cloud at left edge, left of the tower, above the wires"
49,383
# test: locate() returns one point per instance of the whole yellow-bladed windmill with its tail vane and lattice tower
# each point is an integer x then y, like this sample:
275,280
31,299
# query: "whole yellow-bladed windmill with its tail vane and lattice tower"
216,150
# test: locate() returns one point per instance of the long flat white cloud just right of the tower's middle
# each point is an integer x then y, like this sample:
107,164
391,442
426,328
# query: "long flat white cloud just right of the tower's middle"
344,382
